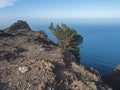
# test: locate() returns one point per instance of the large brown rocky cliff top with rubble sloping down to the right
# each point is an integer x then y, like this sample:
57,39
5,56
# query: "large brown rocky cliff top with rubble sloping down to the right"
30,61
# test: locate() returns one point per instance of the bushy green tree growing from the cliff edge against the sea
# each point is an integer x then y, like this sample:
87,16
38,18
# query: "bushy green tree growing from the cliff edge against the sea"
68,39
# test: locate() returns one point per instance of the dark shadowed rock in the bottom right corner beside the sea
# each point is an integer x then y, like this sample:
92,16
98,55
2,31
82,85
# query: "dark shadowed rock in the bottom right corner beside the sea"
113,79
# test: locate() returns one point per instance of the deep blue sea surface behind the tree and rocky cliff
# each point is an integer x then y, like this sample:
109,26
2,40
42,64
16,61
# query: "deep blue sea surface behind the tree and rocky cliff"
101,45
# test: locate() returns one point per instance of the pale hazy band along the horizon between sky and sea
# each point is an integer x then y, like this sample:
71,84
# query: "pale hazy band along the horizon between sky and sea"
46,22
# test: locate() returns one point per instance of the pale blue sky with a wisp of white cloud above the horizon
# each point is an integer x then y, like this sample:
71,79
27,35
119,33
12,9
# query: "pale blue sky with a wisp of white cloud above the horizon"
44,10
